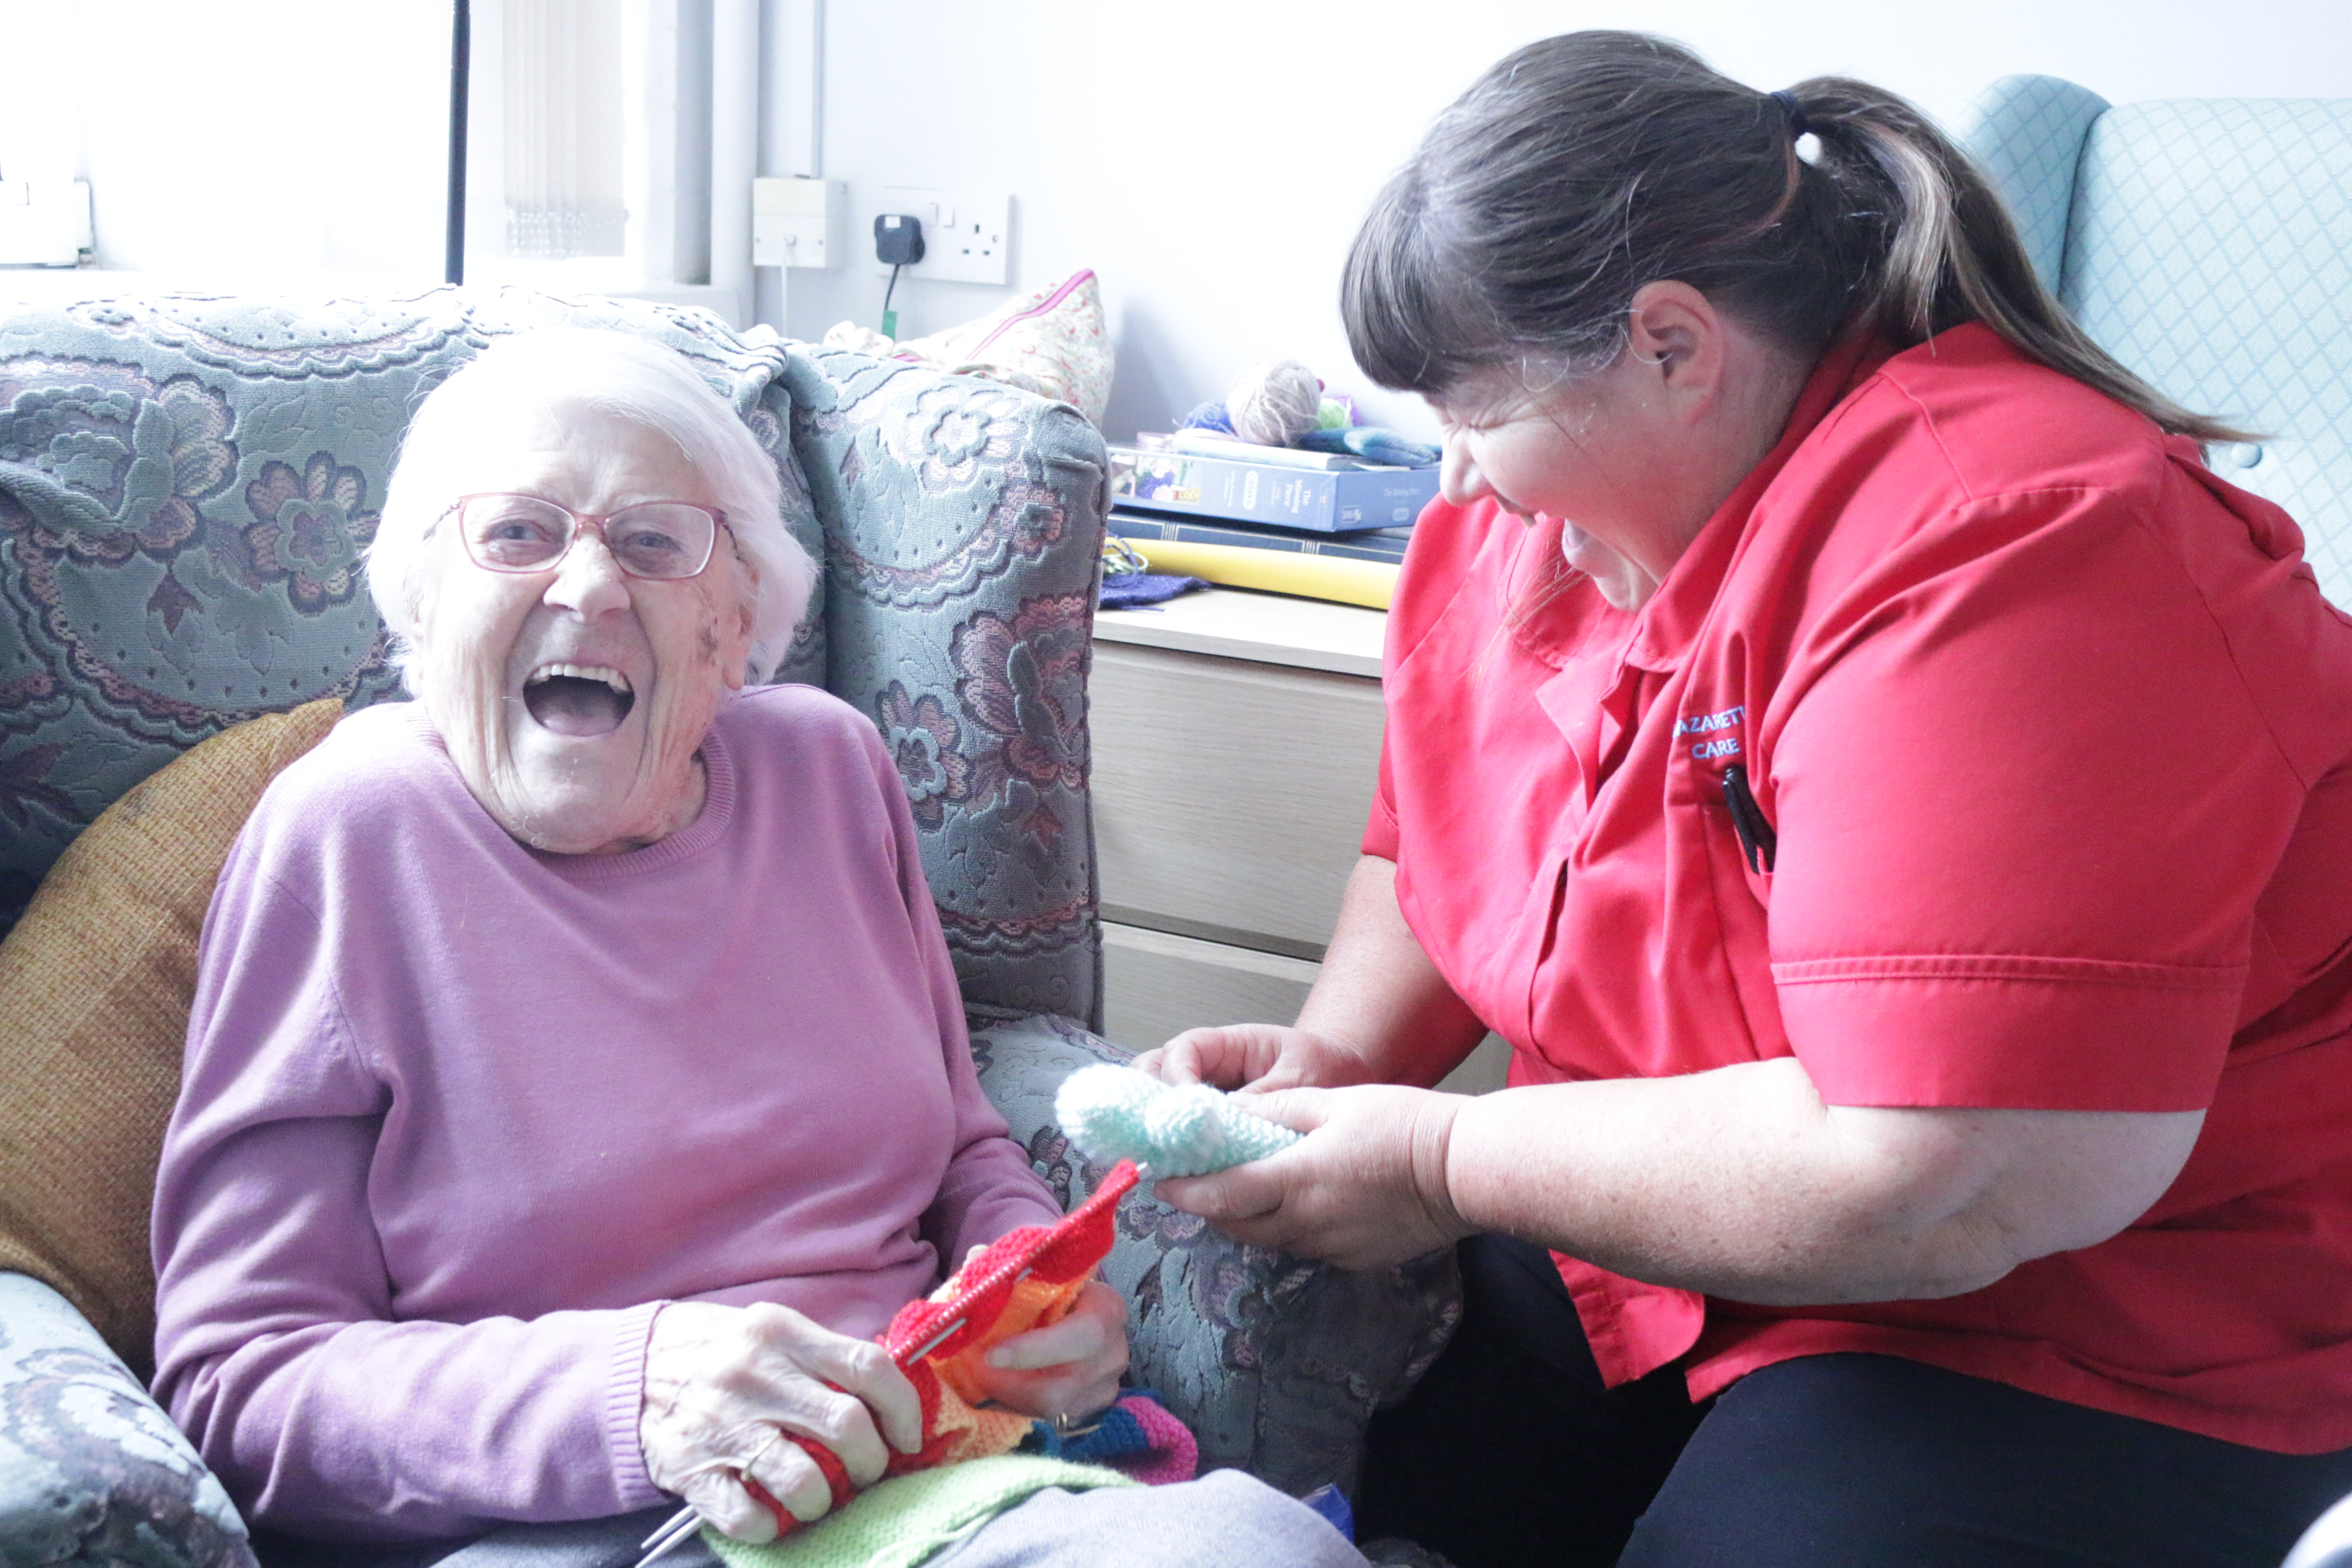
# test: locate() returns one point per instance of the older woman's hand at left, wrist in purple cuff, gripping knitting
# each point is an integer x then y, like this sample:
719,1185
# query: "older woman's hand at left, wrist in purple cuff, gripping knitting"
726,1383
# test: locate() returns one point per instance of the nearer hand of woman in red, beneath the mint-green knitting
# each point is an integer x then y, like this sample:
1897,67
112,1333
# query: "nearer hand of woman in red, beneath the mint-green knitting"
1365,1188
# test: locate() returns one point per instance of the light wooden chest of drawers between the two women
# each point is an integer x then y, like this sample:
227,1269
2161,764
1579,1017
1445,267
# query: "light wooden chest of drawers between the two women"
1236,749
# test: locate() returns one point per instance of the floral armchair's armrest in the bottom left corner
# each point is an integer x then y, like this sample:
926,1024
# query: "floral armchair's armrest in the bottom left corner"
91,1468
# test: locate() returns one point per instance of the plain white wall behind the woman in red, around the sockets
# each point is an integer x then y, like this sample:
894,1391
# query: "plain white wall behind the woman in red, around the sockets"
1210,161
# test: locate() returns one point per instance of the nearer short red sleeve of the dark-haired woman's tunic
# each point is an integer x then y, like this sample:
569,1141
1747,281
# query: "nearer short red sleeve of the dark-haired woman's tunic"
2024,815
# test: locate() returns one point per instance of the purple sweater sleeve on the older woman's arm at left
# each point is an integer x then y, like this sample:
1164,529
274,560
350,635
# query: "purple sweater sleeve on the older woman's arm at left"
279,1343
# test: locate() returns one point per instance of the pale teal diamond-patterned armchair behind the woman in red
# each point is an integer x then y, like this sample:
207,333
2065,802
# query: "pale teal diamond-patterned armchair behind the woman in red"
2207,243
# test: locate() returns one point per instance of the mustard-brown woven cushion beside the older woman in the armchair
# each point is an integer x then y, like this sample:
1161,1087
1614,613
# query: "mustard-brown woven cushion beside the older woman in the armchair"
95,986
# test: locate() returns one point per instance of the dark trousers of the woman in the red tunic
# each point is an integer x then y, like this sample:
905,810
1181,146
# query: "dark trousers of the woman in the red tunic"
1514,1454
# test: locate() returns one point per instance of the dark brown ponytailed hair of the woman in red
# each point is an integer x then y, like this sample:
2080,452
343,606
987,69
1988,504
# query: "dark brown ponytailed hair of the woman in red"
1589,166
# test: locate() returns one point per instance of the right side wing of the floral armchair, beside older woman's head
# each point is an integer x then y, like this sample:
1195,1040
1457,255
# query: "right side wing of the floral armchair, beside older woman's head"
963,544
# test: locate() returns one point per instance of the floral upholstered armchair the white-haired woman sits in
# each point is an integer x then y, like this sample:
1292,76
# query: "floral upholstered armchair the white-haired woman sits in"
185,492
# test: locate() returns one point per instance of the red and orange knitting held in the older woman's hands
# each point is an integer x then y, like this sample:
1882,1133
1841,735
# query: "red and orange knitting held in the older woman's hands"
1027,1280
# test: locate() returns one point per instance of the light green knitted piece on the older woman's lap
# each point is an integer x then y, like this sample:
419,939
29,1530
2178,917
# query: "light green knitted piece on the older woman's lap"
902,1522
